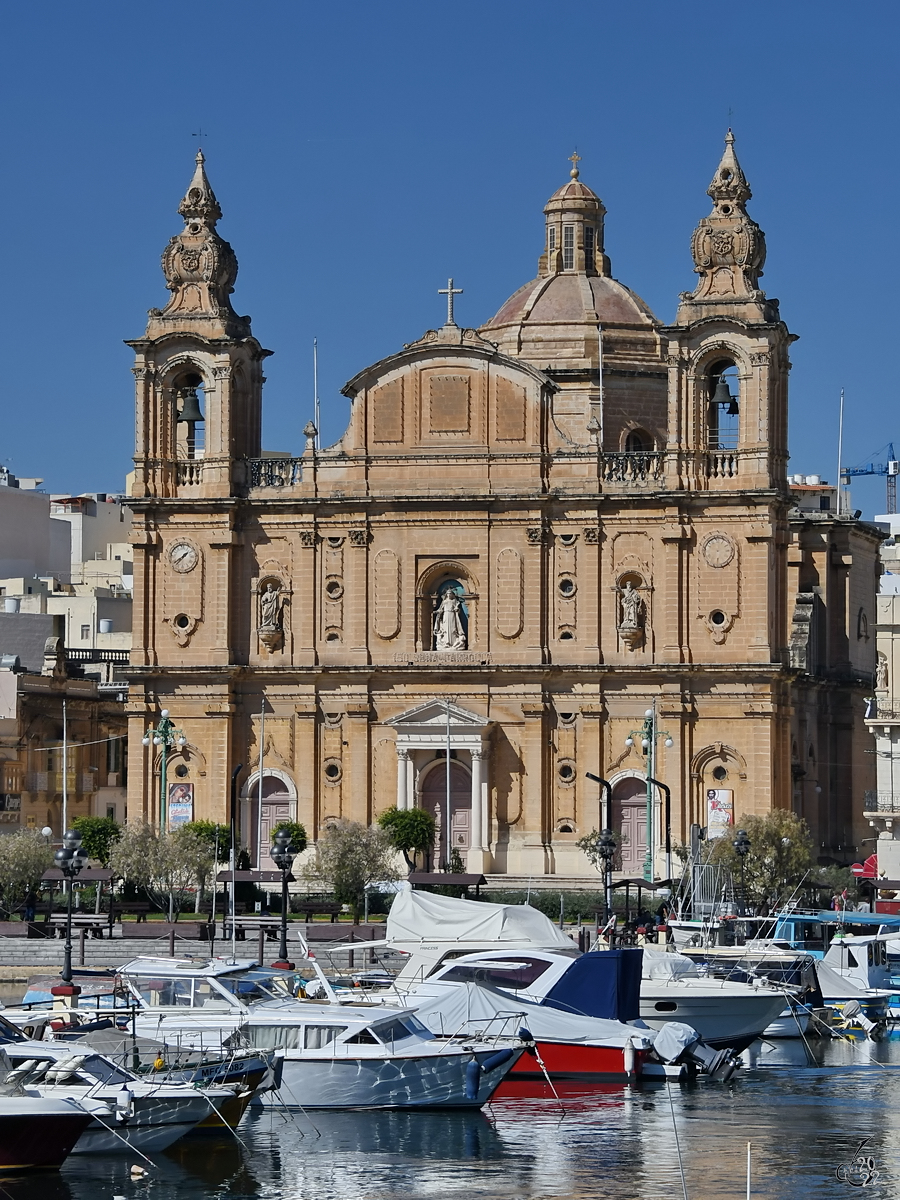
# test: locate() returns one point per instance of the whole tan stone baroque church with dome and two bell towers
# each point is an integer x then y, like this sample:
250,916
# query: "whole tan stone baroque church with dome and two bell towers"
530,537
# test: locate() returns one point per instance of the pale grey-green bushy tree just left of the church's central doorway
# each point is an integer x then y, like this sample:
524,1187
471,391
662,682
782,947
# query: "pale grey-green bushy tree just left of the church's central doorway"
350,856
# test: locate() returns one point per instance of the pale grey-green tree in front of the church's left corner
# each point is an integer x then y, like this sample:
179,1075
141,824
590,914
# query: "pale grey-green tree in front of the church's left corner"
166,866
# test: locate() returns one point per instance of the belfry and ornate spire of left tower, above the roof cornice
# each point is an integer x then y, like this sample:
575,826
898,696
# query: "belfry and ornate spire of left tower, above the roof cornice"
199,368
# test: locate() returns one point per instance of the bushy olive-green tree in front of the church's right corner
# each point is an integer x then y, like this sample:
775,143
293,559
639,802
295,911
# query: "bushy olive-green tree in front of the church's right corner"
779,860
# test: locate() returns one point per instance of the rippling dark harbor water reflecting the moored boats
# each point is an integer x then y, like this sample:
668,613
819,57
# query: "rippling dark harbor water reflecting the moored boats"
806,1112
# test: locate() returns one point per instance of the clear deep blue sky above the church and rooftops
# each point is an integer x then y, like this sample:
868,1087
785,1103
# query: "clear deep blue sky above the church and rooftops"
364,152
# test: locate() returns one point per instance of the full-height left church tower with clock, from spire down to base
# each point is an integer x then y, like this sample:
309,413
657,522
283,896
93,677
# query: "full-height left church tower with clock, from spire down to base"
200,380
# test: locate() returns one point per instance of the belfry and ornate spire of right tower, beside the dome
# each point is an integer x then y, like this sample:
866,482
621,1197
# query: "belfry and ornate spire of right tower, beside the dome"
728,355
